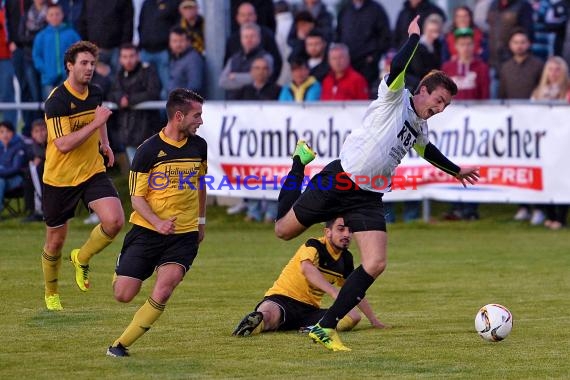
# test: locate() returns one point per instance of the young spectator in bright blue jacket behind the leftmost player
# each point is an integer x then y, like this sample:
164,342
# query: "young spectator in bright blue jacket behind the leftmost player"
49,47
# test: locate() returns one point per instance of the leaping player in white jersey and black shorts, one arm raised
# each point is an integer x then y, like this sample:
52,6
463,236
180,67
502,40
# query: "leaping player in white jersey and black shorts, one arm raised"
353,185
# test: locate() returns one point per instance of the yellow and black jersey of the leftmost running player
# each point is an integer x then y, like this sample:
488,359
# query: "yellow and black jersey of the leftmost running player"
68,111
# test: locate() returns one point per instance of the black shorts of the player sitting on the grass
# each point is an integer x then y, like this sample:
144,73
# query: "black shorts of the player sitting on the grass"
294,314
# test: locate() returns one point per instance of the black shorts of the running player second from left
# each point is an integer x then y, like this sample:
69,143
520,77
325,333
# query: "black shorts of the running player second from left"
145,250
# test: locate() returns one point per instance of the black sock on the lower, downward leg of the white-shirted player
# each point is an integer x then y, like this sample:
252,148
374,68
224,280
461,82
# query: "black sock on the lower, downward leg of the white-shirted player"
350,295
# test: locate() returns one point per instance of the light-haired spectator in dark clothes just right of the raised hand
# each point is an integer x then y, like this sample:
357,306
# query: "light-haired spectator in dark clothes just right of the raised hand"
429,51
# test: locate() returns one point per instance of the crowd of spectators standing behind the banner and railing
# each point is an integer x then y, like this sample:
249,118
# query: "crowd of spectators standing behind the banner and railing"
291,51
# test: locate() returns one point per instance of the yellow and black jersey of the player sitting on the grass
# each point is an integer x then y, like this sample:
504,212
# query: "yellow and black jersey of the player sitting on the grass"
334,265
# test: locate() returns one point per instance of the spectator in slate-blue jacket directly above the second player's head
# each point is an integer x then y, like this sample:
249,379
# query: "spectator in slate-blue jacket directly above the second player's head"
186,65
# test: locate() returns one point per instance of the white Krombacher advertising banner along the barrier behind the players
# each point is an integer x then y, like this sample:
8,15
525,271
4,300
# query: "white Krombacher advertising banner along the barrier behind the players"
520,148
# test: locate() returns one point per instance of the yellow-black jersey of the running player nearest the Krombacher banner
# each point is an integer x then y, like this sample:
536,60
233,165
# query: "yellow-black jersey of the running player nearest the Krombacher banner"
167,174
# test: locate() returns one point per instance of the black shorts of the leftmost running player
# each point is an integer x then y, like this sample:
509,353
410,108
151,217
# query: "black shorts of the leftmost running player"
59,203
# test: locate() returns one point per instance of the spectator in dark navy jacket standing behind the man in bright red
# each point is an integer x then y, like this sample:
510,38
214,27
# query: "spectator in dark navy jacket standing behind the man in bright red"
364,27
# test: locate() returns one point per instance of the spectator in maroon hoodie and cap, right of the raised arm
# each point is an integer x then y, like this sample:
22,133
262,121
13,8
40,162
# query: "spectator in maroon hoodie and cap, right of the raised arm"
467,71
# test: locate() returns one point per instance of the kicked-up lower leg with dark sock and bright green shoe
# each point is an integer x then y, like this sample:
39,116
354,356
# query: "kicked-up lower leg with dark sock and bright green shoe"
291,189
